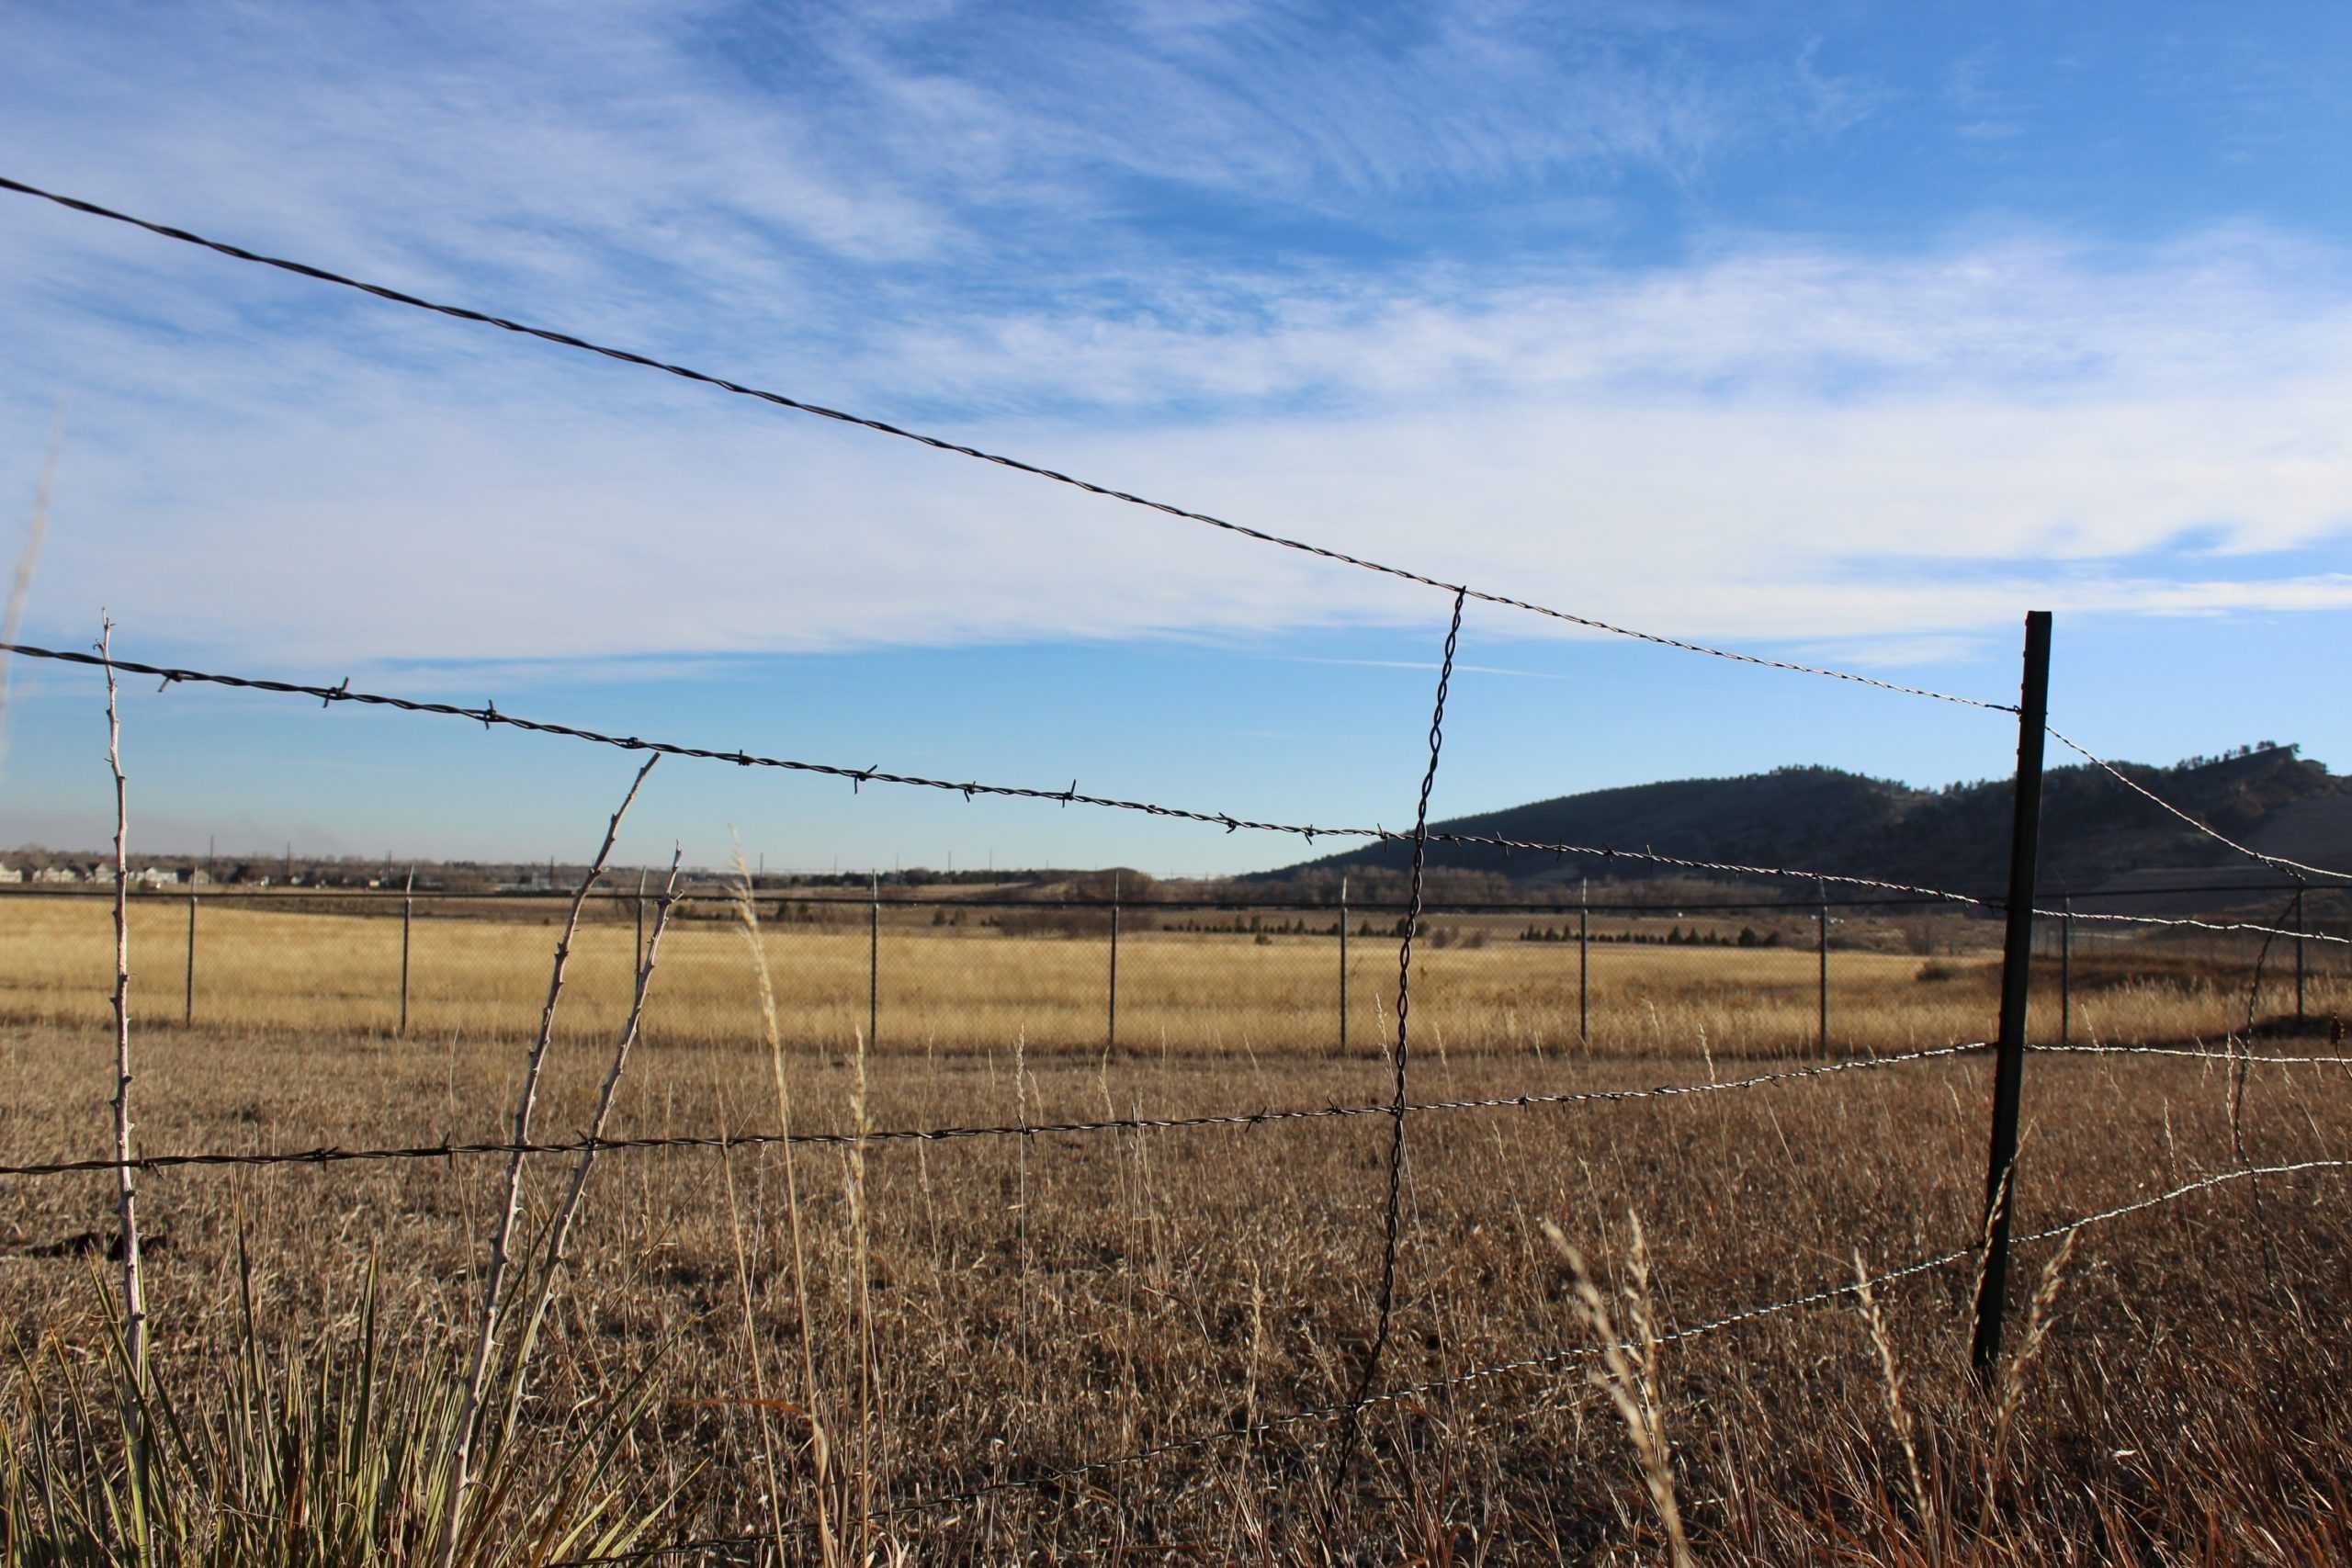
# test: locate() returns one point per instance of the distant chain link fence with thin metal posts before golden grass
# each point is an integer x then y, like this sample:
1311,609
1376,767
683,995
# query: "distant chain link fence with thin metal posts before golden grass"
1062,977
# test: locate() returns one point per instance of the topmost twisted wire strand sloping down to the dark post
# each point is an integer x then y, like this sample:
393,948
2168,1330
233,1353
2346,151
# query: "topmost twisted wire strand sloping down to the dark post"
799,406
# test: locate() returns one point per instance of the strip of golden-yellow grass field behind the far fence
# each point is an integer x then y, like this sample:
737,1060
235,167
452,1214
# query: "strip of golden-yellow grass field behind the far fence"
479,972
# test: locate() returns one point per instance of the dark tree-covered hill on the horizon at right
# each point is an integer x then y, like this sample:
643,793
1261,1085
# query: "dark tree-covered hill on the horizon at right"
2094,831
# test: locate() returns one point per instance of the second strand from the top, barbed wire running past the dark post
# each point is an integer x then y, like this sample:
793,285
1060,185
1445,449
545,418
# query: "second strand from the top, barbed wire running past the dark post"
490,718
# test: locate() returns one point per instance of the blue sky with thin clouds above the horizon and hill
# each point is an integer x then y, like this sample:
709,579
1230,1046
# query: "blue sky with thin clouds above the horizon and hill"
1831,333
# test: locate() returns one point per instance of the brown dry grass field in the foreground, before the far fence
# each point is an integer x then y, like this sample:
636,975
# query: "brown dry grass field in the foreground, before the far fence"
1053,1299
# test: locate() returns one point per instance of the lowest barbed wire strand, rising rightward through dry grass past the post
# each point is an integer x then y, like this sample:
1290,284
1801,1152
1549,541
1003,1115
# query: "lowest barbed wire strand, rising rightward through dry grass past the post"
1481,1374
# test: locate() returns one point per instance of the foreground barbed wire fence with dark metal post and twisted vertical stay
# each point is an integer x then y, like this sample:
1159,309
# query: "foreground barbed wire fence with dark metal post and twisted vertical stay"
2010,1050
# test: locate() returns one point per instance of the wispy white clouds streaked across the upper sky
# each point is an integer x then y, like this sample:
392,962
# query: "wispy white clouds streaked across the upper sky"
930,210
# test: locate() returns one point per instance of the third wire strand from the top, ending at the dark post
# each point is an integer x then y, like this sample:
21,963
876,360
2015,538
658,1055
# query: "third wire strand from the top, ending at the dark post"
956,1134
